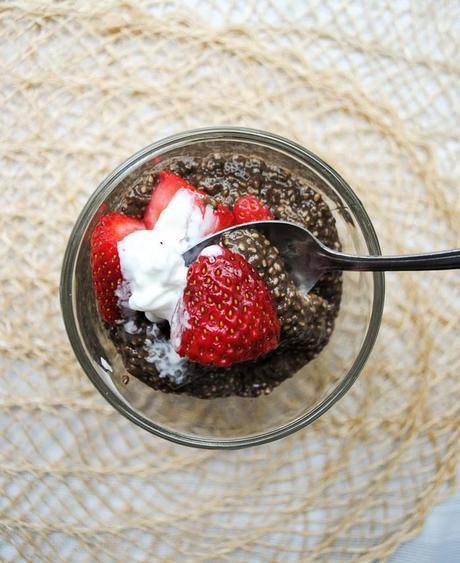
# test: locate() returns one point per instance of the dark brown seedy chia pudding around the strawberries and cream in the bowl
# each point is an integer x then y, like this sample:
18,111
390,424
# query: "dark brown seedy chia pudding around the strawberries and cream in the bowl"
306,322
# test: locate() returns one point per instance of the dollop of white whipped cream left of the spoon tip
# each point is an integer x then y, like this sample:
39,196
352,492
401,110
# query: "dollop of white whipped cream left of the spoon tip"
151,260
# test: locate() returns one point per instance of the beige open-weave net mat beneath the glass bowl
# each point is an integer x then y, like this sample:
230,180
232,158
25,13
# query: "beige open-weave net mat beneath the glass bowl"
373,88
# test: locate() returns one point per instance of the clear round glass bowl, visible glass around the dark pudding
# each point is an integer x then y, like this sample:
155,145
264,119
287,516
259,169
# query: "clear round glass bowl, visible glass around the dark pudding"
235,421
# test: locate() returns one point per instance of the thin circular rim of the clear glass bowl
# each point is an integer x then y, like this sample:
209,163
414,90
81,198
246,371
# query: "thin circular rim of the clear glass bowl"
205,134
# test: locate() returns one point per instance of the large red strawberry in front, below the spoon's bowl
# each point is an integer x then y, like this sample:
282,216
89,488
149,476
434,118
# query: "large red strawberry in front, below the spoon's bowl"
226,314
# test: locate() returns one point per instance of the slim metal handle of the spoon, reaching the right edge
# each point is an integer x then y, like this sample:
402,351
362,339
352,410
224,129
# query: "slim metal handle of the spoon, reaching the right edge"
445,260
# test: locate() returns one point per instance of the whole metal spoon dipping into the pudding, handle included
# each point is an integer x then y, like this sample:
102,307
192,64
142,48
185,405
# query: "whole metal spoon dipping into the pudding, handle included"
307,259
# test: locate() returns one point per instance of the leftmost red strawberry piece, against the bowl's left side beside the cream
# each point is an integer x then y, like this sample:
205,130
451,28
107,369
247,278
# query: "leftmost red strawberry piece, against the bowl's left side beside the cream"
105,264
